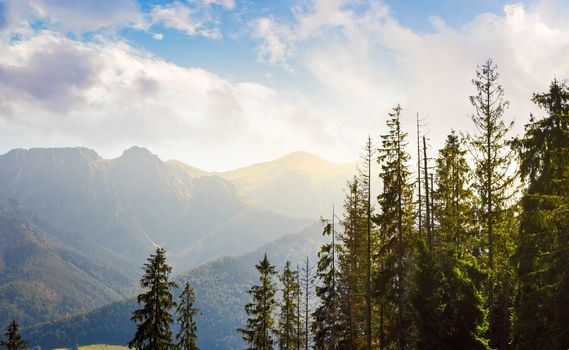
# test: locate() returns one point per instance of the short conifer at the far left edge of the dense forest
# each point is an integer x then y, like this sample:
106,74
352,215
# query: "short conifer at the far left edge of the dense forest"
260,323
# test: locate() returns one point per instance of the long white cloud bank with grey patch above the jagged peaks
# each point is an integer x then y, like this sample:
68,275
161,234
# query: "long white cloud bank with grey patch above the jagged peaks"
108,96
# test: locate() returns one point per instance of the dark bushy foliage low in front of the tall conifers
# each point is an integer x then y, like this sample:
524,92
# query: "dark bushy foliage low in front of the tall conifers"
448,298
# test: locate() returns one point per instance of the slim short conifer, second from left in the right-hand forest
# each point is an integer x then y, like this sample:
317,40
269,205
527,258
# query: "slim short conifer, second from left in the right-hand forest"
287,322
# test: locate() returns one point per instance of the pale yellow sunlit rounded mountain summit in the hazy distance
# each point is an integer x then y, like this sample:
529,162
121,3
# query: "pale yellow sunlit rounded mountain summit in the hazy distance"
299,184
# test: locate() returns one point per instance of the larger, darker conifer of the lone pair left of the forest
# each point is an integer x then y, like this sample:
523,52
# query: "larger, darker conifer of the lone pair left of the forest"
154,319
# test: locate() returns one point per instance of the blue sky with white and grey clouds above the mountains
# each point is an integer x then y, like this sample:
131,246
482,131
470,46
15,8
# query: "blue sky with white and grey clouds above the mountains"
221,84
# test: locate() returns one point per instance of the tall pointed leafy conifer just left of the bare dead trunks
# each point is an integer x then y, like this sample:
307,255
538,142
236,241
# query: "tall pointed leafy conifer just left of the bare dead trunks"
396,221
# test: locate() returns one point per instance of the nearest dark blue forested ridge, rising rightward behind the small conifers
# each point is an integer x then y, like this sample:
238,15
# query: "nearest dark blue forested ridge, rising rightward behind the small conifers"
221,292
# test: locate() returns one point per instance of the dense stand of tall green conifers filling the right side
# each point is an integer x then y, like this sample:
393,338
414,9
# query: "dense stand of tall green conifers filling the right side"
467,249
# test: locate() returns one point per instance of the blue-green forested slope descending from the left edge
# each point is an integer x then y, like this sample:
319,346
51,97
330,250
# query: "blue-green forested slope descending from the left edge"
45,273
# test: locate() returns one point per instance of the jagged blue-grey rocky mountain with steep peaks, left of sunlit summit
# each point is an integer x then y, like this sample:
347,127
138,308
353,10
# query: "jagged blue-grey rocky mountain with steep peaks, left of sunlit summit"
136,201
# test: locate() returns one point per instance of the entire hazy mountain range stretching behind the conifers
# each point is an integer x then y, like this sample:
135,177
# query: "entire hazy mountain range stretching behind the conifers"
76,228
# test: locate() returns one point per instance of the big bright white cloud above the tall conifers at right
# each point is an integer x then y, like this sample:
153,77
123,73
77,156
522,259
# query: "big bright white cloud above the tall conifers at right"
365,62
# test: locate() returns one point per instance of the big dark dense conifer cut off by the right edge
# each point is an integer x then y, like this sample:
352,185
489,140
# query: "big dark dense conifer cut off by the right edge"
542,254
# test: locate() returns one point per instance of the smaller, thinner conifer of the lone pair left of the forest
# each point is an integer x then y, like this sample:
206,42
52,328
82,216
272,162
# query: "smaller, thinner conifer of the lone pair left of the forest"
187,336
